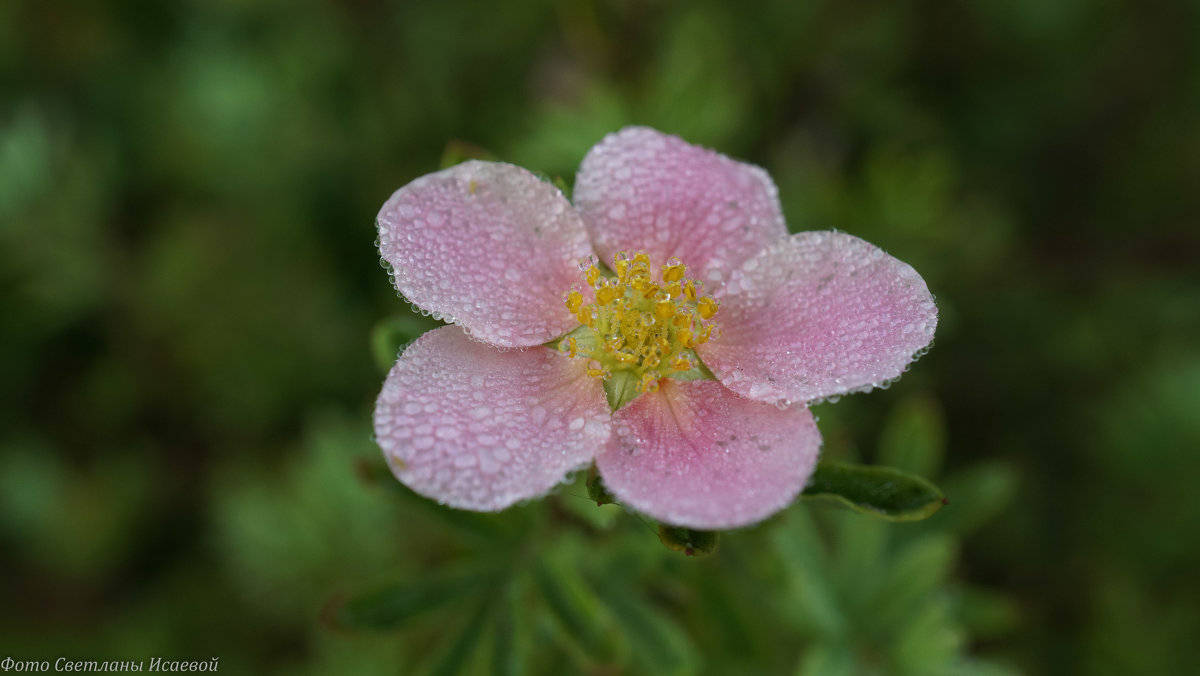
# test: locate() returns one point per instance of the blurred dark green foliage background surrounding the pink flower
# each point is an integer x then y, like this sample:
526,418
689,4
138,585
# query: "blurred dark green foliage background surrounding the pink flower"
191,301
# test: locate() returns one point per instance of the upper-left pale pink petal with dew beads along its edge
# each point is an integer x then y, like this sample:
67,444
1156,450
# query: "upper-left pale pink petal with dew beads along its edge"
489,247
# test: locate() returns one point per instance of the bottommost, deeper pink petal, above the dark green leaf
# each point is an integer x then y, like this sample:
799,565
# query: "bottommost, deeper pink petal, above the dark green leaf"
694,454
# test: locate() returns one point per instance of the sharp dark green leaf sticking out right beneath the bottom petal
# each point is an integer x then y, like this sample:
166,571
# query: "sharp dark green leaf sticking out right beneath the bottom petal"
883,492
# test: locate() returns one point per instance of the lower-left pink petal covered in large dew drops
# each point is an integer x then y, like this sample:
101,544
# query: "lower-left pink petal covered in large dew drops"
476,428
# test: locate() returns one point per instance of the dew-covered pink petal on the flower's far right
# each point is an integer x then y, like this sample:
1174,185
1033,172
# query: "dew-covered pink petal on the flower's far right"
818,315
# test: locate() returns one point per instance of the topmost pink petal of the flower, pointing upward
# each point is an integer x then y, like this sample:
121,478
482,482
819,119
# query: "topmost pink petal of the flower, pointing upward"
643,190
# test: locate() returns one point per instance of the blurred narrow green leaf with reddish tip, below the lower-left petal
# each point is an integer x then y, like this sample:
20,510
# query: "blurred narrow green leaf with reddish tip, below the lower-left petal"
392,607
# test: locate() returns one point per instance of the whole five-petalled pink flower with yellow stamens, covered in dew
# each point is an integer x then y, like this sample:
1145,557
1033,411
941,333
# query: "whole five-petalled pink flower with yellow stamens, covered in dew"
482,415
